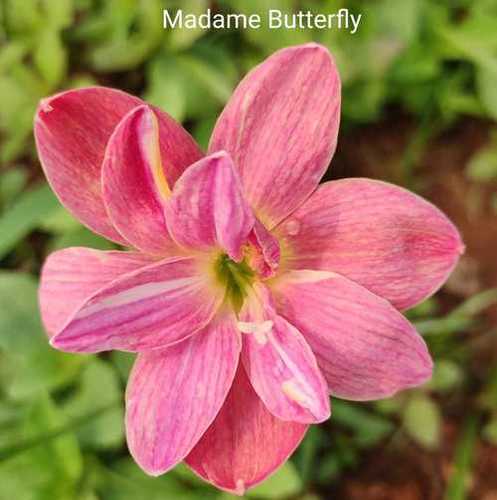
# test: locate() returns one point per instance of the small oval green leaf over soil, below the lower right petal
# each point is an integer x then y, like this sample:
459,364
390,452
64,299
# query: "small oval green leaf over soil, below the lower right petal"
422,421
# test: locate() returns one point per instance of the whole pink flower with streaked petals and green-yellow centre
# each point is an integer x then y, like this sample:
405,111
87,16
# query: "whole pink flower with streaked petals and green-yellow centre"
252,292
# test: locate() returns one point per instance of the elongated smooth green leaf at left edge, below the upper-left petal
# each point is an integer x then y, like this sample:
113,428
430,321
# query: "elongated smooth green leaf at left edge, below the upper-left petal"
25,215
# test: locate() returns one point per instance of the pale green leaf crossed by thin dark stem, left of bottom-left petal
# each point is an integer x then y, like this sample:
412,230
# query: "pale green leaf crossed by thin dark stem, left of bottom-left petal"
99,387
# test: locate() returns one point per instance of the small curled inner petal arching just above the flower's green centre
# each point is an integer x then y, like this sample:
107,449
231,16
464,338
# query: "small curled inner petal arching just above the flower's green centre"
207,208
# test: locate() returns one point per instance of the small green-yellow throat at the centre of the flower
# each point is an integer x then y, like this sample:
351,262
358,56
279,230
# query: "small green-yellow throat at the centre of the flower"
236,277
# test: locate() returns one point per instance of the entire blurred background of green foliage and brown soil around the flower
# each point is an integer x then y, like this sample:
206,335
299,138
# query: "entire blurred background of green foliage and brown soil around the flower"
419,109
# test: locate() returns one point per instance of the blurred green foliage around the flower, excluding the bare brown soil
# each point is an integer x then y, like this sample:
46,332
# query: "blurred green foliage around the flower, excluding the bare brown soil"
61,422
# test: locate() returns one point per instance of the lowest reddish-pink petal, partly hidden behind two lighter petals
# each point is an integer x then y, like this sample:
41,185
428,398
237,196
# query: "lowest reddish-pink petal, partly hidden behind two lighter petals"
245,444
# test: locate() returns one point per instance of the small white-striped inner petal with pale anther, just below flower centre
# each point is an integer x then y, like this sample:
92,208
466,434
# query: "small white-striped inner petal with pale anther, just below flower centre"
281,365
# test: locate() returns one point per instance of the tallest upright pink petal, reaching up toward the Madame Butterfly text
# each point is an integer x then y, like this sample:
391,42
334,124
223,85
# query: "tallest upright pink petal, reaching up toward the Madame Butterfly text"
281,127
